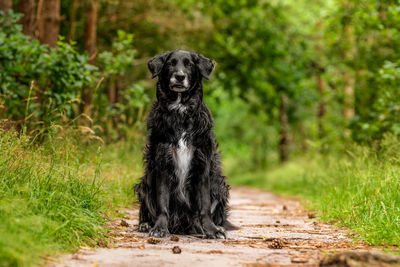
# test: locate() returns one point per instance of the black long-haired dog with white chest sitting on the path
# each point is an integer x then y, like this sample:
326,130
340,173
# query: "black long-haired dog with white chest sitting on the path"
183,189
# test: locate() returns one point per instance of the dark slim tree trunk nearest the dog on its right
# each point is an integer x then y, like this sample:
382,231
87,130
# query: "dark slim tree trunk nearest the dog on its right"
284,142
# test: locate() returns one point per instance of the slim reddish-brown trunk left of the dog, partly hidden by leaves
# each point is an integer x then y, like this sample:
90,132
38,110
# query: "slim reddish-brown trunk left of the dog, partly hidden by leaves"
90,47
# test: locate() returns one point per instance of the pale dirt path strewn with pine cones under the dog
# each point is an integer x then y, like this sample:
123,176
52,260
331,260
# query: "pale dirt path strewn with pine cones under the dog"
275,231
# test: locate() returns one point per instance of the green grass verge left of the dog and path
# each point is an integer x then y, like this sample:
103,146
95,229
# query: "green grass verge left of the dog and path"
56,197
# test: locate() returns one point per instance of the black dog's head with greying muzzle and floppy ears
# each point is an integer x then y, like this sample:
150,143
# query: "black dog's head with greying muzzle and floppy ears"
180,70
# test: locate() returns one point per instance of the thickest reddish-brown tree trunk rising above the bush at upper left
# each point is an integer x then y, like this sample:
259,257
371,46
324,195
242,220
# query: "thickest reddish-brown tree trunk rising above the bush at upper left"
48,21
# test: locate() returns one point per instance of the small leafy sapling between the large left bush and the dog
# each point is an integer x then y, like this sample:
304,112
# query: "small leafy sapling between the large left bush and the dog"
126,111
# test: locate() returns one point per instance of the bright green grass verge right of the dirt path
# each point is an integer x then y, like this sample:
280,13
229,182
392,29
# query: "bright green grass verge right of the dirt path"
355,189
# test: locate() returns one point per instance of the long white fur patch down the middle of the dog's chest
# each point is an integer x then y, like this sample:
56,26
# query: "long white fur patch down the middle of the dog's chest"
182,158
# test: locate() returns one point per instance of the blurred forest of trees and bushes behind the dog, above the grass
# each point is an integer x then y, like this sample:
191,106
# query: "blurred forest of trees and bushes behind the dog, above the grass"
291,77
